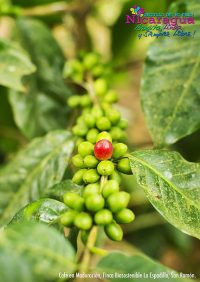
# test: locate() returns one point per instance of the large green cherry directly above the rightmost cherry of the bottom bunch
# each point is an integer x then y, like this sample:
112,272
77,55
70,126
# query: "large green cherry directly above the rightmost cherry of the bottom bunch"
118,201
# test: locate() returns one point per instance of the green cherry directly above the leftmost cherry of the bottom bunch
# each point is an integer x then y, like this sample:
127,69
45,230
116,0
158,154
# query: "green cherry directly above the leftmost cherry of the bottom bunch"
74,201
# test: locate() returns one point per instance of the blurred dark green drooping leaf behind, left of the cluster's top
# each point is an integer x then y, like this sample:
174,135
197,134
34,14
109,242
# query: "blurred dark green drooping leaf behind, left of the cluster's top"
43,107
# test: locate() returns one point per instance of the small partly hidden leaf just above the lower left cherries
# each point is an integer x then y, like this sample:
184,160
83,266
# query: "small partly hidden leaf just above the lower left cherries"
58,190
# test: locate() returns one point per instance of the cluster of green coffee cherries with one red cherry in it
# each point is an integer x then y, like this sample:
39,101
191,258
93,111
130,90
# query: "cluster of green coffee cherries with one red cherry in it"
101,157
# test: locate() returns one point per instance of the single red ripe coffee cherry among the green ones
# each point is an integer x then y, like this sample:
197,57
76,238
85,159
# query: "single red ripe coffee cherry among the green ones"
103,150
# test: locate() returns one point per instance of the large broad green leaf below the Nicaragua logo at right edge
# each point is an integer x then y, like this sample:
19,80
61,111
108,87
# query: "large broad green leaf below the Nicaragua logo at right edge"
170,85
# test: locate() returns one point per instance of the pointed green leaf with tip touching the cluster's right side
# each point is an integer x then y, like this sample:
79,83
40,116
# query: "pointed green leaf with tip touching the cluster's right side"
172,185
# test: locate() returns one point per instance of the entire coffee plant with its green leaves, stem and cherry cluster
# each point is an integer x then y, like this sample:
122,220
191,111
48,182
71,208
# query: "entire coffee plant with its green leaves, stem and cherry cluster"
64,195
